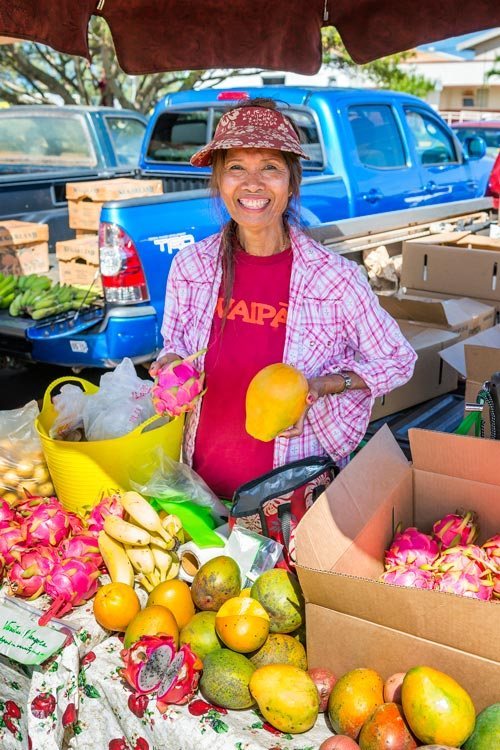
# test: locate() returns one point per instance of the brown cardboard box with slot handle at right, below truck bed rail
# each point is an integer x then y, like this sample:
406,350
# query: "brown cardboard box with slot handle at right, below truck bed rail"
439,264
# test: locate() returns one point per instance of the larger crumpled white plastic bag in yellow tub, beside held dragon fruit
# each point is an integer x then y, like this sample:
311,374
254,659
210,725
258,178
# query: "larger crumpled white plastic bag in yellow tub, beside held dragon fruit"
122,403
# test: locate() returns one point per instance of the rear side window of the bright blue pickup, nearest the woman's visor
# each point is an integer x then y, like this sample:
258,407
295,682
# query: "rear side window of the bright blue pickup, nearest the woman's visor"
377,137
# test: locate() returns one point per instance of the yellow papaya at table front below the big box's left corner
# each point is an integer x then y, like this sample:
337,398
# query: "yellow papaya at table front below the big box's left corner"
287,697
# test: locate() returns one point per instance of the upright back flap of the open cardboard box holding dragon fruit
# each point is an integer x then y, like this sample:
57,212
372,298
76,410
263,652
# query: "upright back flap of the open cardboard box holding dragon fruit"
460,456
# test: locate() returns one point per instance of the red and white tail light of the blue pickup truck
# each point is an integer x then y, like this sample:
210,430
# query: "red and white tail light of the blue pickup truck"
123,278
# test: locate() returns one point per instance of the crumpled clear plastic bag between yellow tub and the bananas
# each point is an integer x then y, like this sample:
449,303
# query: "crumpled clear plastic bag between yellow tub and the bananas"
163,478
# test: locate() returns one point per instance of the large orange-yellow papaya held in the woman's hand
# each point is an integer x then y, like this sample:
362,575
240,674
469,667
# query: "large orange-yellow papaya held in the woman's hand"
276,398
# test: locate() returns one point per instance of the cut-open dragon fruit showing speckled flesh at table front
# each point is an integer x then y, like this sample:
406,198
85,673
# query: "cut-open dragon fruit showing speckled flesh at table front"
154,664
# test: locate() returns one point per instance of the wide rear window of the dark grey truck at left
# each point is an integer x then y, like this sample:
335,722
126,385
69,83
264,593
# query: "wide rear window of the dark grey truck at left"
35,140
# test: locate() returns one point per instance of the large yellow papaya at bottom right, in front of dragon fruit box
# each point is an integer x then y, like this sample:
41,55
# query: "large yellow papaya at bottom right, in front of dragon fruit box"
436,707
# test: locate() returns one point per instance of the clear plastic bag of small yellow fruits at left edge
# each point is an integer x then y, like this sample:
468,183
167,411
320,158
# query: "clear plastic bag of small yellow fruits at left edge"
22,463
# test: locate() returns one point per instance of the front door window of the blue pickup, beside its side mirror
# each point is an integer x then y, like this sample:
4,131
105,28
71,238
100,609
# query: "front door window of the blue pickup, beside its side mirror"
433,144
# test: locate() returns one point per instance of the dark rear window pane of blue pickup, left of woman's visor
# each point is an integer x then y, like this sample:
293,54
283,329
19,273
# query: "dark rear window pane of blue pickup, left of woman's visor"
178,135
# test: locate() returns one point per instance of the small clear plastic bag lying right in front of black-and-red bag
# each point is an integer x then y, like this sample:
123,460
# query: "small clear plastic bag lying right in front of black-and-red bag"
254,553
